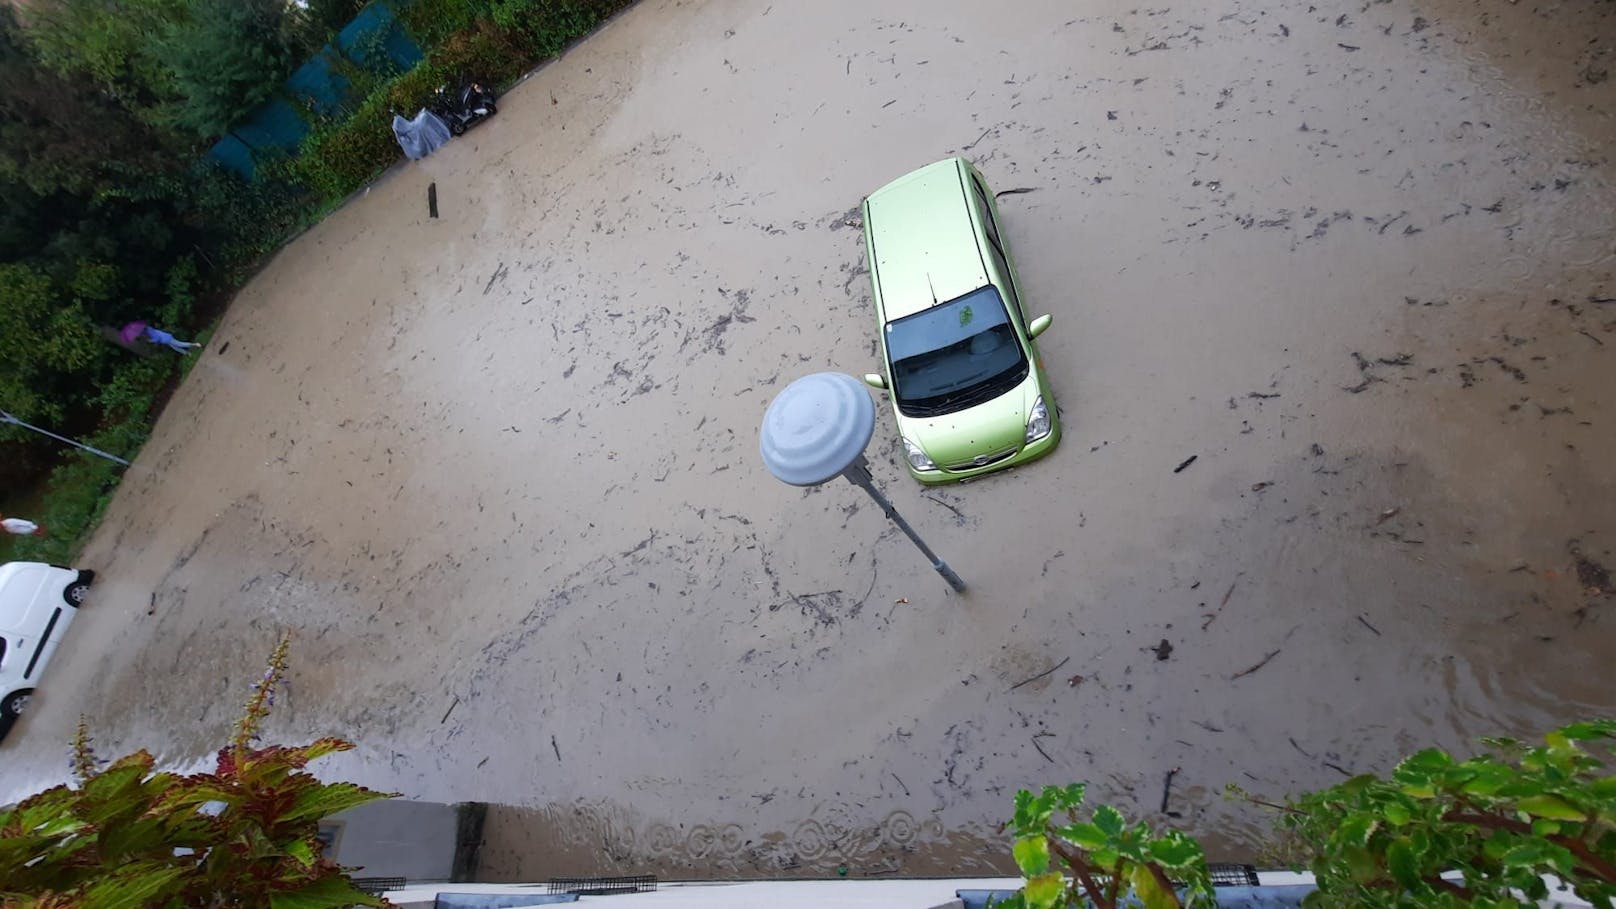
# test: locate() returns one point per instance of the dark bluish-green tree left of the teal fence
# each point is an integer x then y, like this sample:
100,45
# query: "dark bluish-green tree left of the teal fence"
229,57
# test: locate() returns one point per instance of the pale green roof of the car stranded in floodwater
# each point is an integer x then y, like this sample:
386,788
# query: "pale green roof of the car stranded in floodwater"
924,240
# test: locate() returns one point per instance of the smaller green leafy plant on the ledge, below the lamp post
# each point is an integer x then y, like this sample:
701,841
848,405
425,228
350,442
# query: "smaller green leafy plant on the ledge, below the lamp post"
1111,861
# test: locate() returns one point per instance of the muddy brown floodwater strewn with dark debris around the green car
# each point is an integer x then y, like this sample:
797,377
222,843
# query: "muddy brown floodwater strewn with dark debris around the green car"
499,471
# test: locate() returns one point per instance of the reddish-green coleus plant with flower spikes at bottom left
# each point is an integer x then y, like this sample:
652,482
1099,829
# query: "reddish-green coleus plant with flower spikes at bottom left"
132,835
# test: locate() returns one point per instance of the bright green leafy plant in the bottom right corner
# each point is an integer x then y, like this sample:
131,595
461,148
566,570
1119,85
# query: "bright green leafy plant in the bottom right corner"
1500,821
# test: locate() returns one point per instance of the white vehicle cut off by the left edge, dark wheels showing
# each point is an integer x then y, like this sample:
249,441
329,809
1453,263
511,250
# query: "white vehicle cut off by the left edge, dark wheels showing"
38,604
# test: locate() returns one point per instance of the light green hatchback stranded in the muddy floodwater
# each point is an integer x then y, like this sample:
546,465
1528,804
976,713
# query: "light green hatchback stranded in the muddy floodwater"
967,384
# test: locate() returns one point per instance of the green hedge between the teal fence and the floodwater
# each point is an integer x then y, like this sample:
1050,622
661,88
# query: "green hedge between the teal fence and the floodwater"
492,41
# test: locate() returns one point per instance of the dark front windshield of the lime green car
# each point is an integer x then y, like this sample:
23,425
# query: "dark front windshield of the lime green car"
954,355
